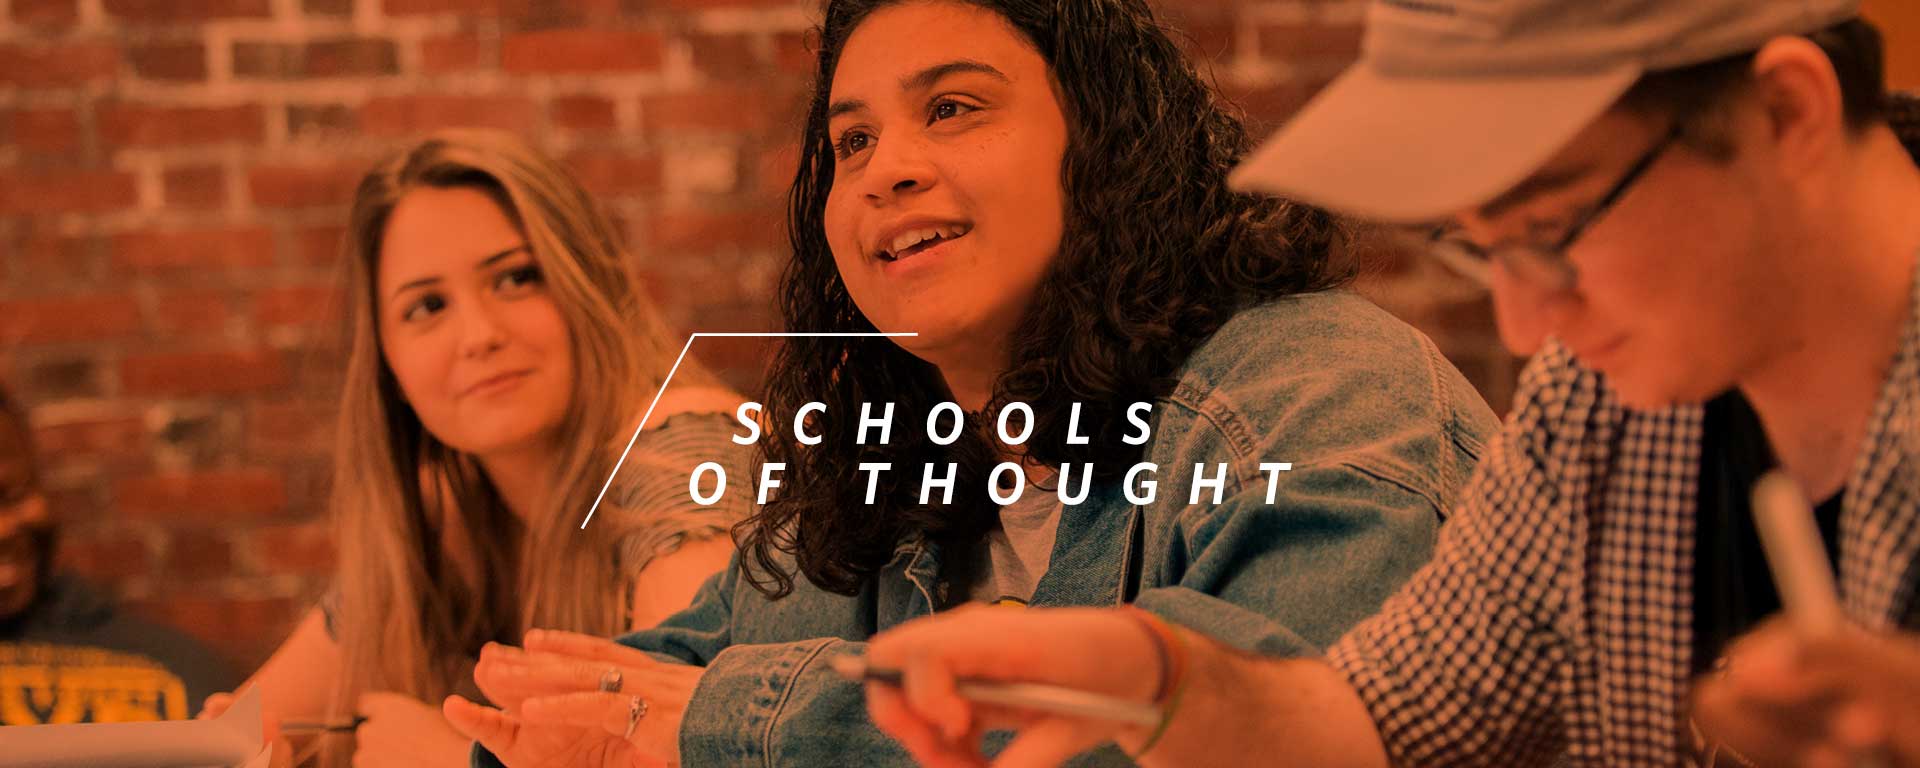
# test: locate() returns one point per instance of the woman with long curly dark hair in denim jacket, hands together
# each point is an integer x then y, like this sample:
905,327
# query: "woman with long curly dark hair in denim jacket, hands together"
1038,191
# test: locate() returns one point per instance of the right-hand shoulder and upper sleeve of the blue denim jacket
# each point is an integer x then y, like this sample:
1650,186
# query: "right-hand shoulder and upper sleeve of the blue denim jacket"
1381,433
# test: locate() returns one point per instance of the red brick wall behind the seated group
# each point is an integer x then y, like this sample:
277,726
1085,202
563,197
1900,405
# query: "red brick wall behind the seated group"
174,176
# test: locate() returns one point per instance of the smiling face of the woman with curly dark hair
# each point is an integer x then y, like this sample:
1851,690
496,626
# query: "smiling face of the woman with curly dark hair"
948,206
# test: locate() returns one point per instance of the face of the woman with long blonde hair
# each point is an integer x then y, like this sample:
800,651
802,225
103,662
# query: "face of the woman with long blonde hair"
468,324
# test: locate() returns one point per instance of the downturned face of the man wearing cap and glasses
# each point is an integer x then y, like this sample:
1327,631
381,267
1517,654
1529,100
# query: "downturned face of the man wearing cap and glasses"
1673,279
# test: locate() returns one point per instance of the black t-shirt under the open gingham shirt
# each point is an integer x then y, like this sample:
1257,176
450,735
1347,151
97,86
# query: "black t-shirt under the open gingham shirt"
1733,587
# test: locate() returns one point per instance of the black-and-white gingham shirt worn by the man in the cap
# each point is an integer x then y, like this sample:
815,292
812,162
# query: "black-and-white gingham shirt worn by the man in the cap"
1554,623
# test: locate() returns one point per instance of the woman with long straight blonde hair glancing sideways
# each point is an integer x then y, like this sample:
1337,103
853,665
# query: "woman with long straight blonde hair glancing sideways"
500,356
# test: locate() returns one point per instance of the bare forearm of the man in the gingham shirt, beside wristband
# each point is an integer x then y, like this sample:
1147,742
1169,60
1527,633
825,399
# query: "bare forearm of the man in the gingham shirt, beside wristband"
1234,708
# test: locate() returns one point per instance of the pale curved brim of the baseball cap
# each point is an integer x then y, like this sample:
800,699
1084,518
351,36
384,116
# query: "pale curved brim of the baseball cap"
1422,149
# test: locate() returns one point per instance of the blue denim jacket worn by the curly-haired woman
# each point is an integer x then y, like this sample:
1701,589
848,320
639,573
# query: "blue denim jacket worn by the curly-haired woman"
1380,429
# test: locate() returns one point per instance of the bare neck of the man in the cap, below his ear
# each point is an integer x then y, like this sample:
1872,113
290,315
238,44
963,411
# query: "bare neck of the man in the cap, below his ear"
1840,327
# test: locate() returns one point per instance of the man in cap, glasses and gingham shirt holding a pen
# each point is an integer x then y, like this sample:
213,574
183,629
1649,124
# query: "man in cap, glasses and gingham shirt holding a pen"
1698,222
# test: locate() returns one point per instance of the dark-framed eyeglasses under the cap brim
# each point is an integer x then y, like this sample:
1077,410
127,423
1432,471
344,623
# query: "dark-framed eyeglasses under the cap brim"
1541,264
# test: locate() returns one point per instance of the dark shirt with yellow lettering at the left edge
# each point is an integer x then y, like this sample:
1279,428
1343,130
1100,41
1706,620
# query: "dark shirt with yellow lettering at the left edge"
72,658
